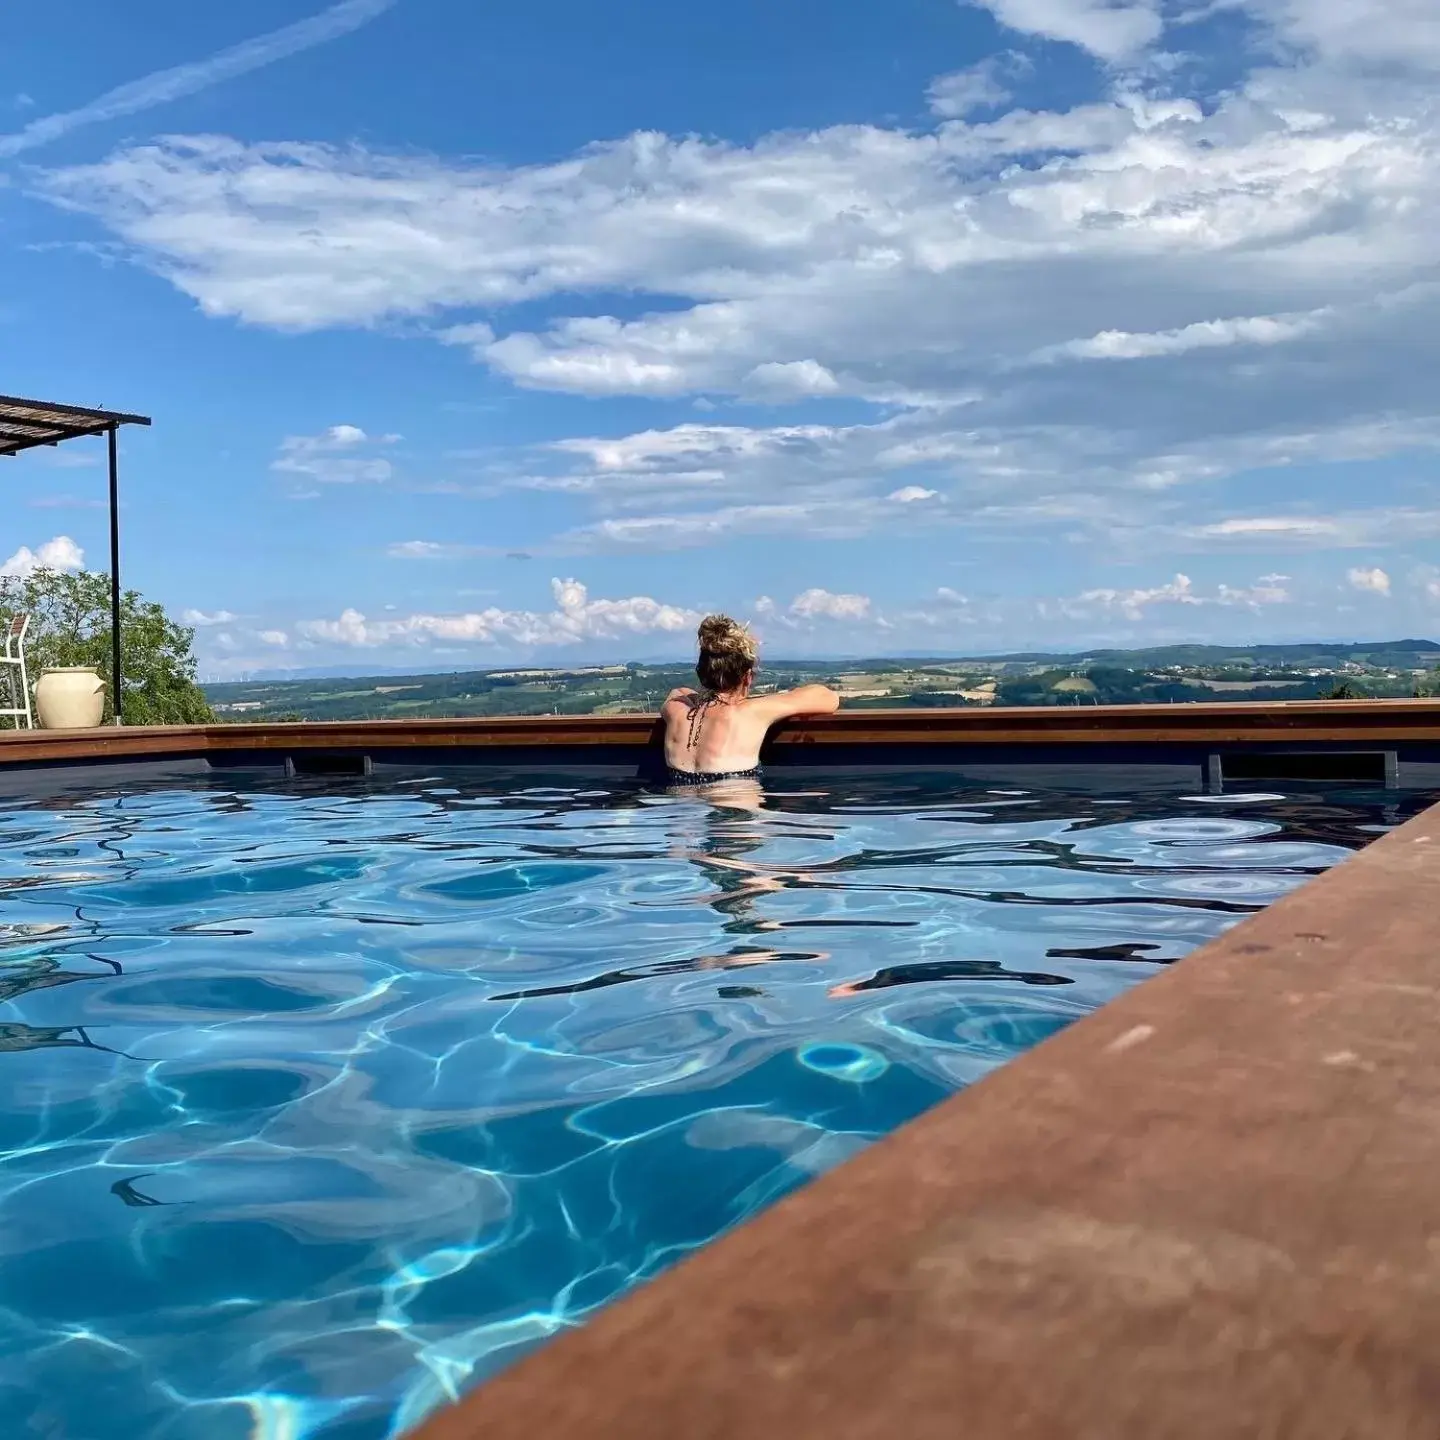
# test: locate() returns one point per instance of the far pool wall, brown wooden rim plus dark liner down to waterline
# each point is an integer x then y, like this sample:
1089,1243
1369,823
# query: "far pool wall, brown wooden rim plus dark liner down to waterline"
1203,748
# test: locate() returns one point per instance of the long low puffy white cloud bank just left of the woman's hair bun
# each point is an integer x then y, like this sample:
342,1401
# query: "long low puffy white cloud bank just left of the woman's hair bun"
575,620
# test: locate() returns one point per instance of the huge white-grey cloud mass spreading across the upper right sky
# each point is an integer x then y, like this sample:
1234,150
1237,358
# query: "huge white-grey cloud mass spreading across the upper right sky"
1261,257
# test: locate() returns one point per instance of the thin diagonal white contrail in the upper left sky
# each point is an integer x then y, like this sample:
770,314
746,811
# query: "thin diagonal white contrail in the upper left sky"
188,80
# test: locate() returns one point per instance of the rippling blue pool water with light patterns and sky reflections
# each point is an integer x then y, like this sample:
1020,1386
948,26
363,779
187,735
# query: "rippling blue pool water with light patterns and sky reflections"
316,1105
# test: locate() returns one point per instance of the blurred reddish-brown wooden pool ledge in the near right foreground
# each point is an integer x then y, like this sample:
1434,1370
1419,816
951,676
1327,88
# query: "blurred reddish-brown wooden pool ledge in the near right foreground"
1206,1212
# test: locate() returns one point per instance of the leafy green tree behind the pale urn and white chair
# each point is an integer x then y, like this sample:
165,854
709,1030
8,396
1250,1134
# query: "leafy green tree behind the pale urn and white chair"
70,626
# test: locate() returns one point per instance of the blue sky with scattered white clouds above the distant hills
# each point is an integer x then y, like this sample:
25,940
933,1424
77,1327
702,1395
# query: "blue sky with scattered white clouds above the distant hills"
477,333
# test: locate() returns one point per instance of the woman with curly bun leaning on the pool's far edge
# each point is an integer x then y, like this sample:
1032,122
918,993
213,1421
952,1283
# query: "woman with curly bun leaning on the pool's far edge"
715,734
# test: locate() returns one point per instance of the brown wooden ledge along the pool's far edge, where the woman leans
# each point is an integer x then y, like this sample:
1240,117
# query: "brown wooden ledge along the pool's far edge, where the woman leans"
1305,722
